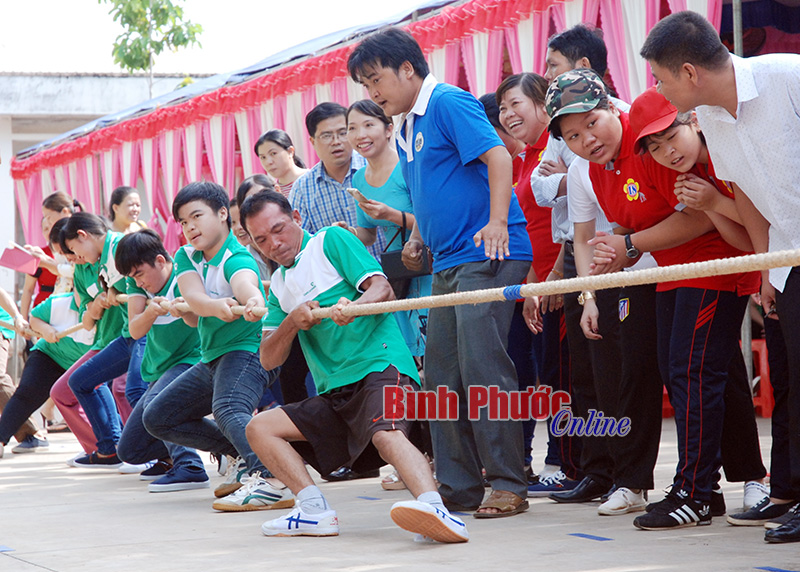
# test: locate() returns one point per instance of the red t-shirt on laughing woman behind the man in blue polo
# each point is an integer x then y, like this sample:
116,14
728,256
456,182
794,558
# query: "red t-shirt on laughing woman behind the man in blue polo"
539,227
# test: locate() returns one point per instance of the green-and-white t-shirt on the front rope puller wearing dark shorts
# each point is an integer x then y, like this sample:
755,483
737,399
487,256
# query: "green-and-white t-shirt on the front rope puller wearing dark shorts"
333,264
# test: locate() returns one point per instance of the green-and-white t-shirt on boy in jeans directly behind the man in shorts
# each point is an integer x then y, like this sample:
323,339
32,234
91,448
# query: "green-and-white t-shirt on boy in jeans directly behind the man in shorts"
216,336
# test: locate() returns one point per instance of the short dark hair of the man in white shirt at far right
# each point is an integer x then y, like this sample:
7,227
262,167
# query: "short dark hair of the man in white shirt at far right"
685,37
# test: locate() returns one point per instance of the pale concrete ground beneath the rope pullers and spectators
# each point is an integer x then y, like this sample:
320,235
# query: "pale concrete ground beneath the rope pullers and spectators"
54,517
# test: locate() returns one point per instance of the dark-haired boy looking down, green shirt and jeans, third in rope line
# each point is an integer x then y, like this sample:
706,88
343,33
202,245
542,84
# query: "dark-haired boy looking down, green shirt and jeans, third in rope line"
172,348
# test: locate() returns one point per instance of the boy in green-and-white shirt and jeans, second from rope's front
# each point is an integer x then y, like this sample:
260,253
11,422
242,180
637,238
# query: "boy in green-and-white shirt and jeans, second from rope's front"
215,273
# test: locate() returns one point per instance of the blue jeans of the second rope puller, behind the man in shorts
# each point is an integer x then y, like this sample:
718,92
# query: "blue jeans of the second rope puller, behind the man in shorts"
230,387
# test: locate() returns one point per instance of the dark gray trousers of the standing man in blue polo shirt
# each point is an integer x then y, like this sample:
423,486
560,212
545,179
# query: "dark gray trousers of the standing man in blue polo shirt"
467,347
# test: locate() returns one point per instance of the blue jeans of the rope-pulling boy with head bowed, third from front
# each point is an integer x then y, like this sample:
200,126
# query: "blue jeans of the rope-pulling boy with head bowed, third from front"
137,446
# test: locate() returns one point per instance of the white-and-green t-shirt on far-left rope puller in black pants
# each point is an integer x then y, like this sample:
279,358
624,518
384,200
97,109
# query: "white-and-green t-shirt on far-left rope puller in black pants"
60,311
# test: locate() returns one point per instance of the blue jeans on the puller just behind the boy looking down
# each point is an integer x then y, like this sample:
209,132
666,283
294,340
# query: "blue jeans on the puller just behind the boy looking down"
91,385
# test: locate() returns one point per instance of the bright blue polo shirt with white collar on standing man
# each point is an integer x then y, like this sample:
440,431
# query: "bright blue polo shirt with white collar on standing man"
448,182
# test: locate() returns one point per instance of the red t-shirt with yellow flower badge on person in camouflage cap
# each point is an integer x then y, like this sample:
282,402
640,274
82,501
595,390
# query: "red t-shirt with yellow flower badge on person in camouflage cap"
638,193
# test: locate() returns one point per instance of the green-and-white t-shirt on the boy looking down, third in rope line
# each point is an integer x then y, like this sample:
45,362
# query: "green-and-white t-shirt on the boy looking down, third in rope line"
170,340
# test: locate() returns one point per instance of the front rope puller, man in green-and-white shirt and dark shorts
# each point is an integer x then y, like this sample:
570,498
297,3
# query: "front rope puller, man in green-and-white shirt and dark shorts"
352,361
